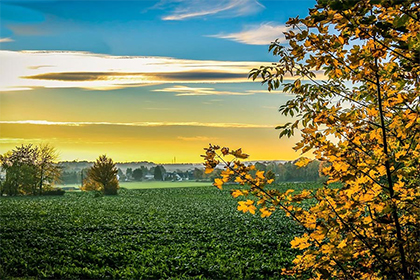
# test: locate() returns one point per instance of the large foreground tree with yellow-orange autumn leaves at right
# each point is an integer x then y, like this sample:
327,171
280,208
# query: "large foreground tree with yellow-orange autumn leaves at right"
368,136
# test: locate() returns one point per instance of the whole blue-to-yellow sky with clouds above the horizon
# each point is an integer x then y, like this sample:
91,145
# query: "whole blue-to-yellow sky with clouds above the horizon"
142,80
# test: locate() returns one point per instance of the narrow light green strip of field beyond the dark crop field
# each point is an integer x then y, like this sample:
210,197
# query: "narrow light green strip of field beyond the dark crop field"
154,184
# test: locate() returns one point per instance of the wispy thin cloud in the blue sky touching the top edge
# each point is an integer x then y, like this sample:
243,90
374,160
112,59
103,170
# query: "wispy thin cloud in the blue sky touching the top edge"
187,9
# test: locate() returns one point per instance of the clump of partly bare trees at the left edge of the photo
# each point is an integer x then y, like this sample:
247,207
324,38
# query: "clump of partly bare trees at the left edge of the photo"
29,169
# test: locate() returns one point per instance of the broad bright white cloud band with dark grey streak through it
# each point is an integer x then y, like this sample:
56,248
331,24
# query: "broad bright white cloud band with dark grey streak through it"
25,70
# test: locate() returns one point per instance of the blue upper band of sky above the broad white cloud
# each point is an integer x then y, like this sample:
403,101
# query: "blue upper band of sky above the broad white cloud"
142,27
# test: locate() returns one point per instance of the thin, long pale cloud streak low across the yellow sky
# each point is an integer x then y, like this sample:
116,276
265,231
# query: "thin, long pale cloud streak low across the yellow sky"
138,124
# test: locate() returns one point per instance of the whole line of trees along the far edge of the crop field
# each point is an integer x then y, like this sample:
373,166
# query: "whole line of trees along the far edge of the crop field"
34,170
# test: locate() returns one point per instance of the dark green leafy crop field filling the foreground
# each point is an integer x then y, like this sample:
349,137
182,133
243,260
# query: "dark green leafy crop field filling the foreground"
193,232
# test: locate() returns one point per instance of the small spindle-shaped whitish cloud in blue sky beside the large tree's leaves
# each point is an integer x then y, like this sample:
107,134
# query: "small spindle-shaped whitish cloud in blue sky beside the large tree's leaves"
263,34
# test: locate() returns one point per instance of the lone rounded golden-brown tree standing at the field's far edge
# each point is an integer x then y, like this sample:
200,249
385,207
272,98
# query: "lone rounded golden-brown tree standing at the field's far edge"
102,176
